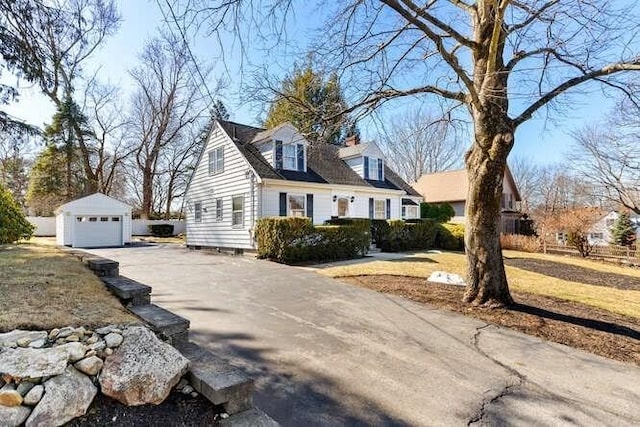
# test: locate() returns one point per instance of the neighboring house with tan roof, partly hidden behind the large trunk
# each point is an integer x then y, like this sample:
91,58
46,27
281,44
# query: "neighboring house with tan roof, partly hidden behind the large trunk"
452,187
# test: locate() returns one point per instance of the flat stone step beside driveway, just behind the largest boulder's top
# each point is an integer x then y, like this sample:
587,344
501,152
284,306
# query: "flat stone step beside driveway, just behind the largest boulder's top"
170,326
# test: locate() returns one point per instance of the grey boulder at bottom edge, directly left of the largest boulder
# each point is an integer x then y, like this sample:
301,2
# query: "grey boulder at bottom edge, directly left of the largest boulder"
66,397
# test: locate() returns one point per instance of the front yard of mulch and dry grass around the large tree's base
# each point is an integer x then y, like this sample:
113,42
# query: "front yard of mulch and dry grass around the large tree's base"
580,304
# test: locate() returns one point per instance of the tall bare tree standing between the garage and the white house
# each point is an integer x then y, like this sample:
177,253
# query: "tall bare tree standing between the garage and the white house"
166,105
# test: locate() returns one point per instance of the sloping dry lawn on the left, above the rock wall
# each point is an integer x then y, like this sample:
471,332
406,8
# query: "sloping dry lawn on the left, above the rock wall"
42,287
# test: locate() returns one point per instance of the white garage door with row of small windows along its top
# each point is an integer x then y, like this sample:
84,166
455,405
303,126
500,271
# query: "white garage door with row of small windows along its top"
97,231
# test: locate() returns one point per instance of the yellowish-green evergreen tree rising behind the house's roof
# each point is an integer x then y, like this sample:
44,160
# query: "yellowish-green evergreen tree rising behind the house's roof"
311,102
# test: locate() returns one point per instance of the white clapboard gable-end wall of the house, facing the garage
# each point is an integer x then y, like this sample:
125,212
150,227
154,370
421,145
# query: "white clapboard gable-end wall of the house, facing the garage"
234,181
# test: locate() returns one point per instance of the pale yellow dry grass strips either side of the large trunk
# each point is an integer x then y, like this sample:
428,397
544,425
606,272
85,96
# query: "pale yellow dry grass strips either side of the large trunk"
620,301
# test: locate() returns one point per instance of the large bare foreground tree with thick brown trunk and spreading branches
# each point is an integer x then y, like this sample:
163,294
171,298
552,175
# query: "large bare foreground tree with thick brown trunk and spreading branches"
504,61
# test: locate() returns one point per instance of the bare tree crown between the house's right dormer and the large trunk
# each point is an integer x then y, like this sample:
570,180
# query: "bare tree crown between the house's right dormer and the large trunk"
419,142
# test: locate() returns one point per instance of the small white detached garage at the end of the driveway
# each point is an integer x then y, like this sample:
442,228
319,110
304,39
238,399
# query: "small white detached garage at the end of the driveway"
92,222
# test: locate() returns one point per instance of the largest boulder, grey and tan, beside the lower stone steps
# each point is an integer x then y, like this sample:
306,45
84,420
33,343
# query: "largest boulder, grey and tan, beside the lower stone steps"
143,369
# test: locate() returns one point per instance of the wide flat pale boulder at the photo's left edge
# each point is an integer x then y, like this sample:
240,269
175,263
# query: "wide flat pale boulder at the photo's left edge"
33,362
